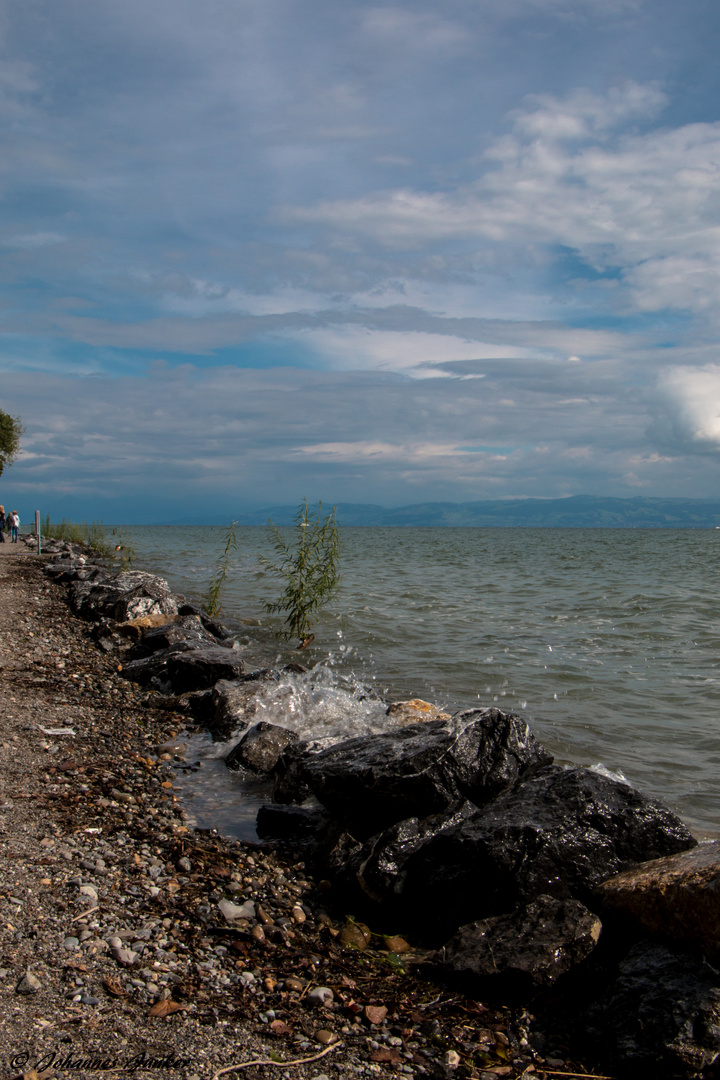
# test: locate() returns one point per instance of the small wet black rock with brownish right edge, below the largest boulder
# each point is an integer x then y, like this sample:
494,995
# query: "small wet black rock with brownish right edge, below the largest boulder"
515,956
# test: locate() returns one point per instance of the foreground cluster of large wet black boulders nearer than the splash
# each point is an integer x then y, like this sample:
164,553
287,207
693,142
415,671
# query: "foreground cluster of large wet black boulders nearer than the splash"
529,881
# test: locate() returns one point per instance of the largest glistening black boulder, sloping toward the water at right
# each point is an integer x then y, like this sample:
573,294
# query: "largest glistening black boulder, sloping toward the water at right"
561,832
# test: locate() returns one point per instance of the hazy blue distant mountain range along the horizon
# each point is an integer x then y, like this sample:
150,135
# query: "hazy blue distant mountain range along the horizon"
580,511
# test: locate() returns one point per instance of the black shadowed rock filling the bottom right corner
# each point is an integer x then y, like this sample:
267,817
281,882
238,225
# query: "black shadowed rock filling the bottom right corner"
660,1018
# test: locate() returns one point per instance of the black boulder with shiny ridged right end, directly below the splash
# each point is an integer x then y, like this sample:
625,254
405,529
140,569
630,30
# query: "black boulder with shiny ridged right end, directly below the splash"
373,781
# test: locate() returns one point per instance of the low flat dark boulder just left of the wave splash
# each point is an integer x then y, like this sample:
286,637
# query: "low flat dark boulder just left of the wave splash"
182,669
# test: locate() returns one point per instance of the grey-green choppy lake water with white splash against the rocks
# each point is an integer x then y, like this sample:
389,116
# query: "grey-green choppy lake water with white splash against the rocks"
606,640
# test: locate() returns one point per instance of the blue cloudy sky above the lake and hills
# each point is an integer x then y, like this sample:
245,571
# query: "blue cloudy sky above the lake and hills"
255,251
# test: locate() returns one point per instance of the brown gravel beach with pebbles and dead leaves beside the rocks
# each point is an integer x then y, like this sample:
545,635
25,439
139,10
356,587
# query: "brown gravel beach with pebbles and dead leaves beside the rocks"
121,947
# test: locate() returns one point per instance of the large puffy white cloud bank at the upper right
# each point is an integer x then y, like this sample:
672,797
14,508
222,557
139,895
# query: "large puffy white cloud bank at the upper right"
646,207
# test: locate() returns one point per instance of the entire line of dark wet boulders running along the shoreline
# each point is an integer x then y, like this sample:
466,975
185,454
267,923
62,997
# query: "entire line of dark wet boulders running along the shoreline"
463,834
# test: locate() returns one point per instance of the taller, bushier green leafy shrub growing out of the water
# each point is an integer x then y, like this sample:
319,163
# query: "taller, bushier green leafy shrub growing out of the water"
309,566
